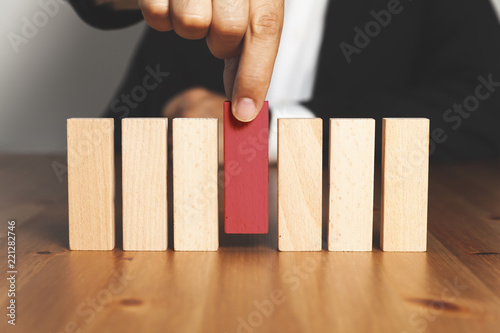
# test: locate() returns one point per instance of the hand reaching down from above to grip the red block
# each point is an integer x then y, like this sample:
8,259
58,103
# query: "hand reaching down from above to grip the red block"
245,33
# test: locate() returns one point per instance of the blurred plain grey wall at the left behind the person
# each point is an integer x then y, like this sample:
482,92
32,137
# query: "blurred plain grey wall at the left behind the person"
66,69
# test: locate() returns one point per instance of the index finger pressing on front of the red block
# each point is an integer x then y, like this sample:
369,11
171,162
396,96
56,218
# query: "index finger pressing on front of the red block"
260,47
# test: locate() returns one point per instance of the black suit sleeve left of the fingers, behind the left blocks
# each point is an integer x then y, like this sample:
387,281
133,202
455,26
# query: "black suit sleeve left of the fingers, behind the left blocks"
163,66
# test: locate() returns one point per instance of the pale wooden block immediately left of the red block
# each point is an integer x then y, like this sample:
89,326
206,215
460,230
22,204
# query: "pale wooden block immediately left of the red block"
195,159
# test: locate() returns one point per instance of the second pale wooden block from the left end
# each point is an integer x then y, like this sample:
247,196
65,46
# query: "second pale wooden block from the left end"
144,174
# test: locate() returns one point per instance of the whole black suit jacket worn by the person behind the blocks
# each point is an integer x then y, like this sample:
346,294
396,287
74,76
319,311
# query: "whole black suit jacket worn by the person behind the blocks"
428,61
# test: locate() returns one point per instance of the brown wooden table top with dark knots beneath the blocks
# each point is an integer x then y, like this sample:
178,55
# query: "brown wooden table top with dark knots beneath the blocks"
248,286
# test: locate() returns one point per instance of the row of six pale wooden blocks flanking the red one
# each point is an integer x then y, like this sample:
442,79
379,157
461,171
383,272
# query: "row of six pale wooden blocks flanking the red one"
91,184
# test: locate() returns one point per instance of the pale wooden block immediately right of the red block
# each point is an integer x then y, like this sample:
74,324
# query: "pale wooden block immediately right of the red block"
299,184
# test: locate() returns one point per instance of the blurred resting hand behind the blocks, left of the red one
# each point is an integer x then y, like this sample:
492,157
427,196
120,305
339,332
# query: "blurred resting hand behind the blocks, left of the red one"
197,103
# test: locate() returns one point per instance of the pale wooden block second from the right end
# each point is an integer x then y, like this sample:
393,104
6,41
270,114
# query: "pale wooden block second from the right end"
352,159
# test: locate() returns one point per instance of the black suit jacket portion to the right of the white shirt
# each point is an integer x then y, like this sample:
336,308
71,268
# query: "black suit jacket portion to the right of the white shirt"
437,59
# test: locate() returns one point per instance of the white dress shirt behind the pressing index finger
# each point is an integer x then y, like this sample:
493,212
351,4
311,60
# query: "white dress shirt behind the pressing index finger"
295,68
